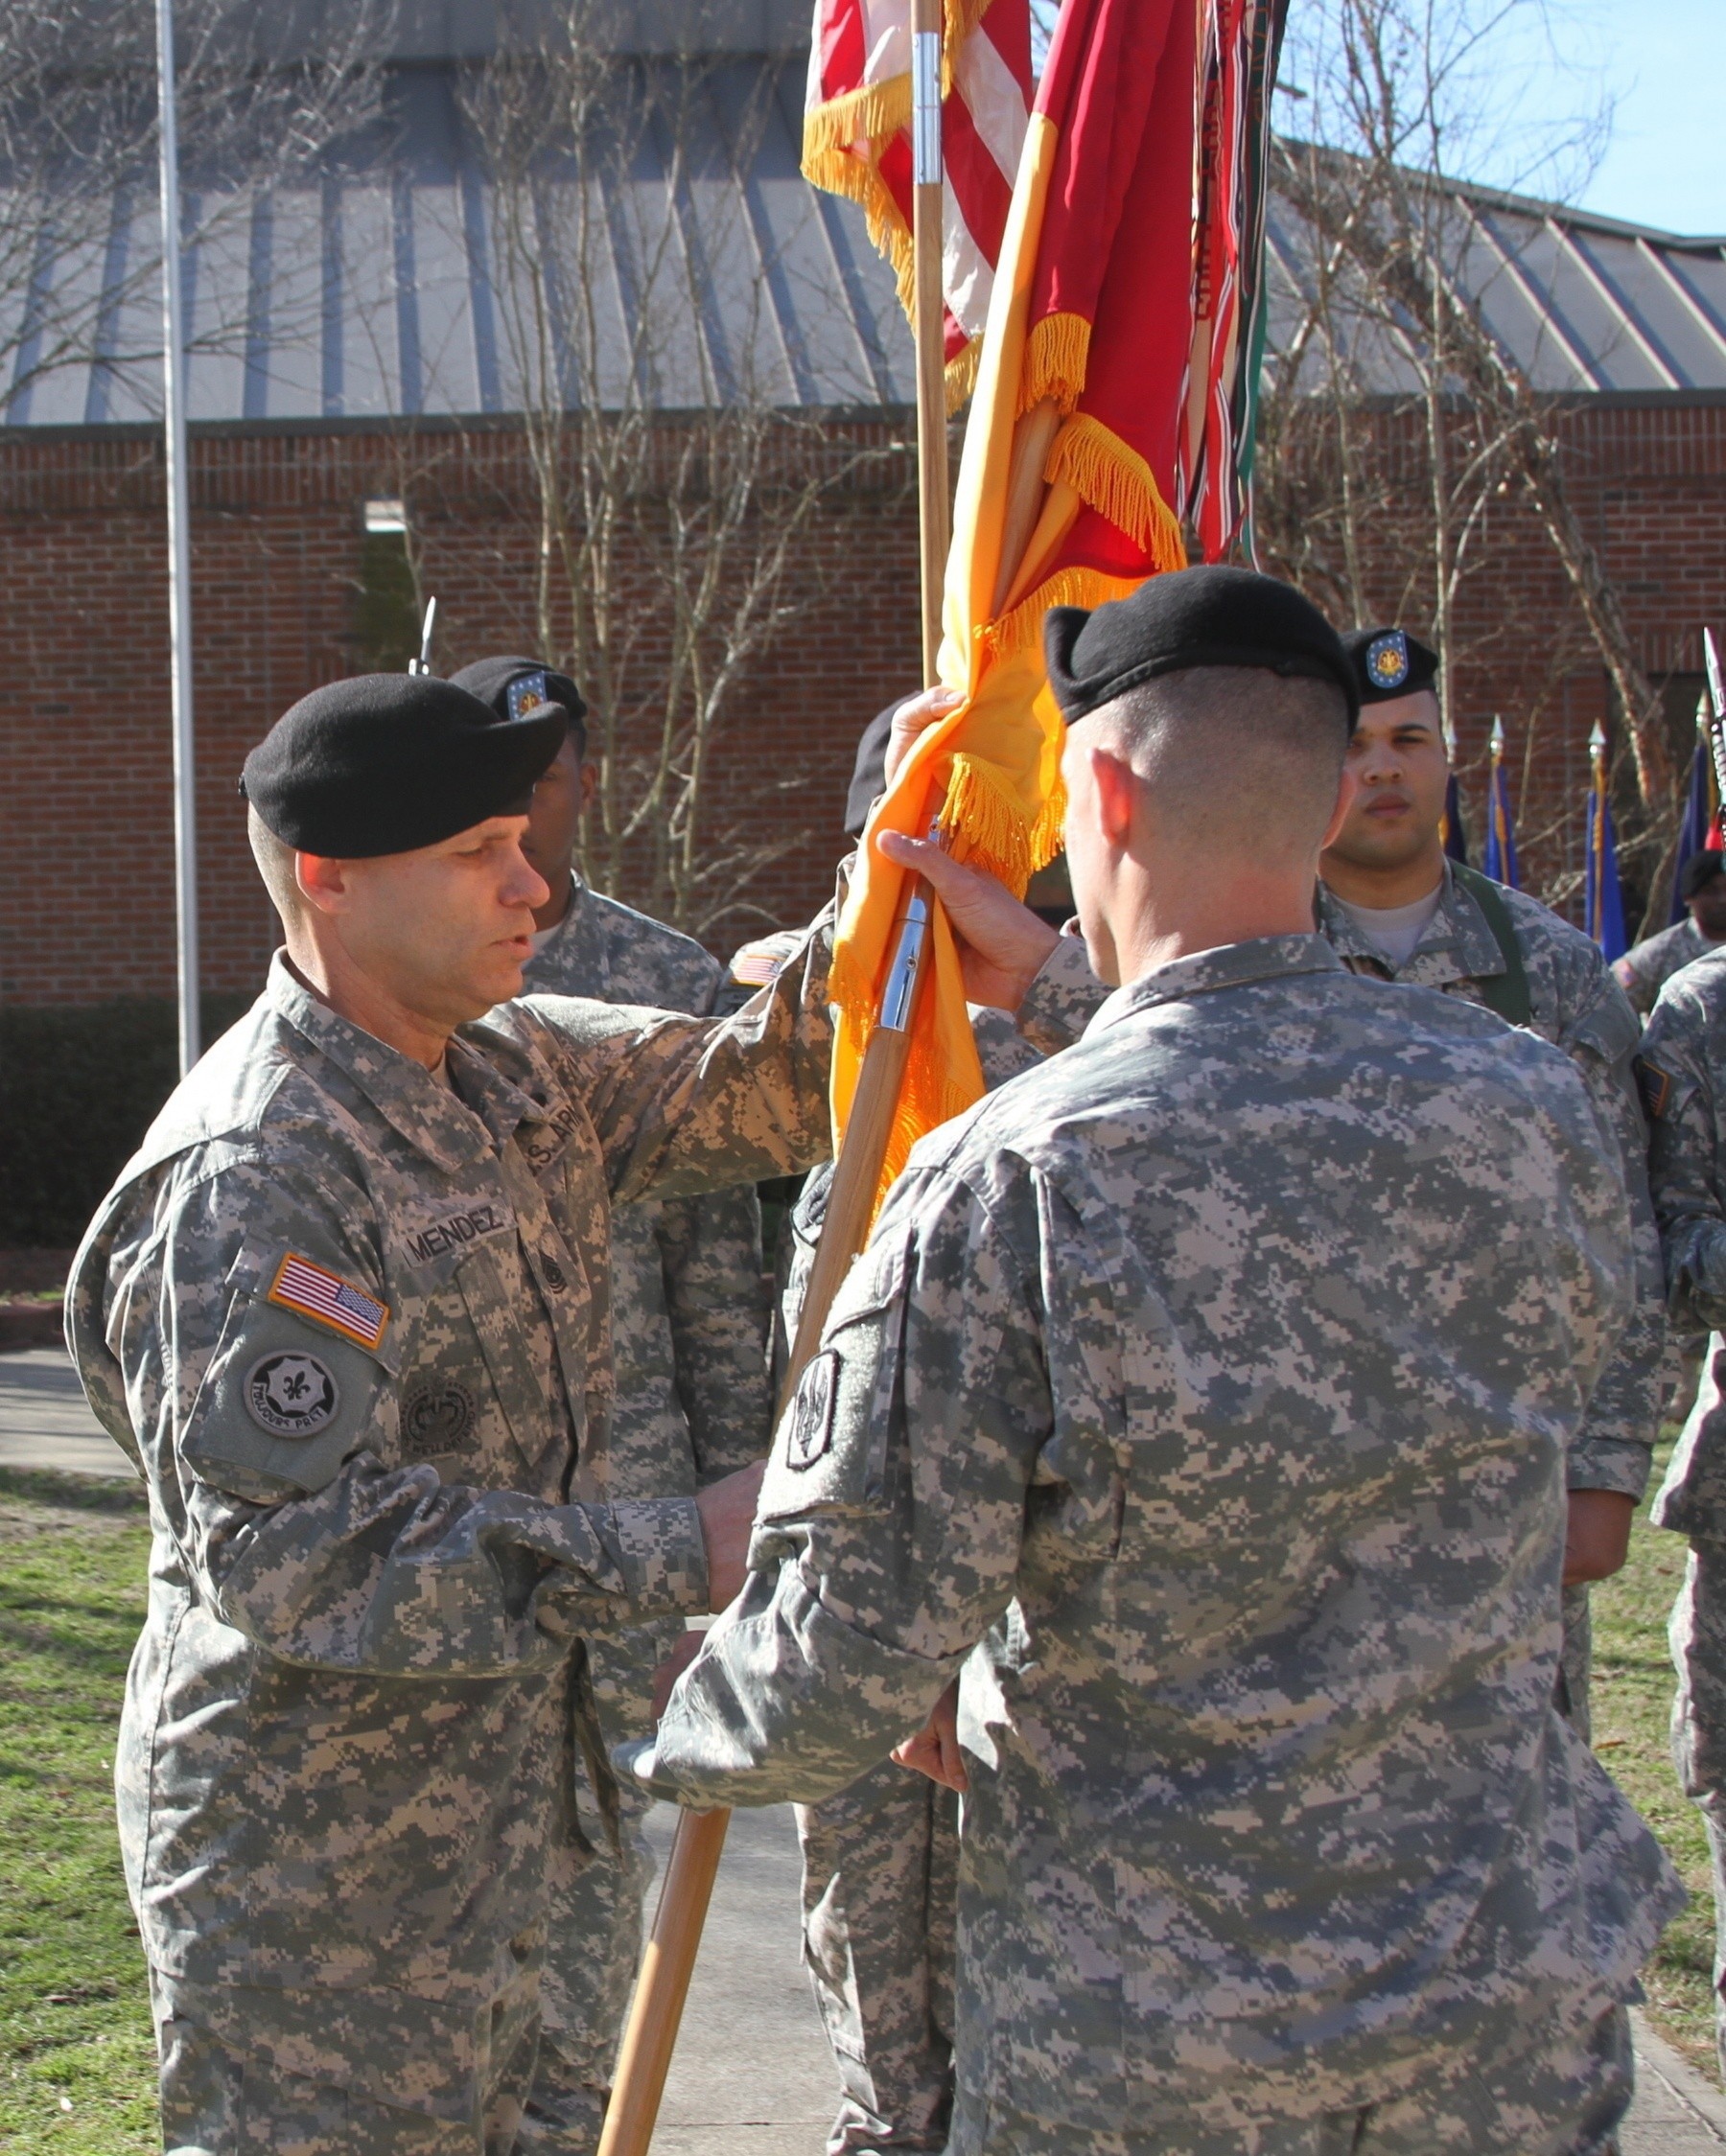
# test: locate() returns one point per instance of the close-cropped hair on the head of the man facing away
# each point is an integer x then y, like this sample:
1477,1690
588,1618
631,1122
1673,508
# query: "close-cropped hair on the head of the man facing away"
1235,756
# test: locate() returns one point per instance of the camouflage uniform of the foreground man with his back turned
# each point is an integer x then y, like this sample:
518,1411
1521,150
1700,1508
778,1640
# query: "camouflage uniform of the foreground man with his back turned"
1222,1374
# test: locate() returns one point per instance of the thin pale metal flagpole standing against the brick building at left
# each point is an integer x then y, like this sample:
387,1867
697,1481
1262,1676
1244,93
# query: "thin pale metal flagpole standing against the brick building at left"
180,549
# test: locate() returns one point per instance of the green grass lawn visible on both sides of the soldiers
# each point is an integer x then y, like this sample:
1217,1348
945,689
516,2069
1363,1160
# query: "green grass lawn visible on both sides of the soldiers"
77,2056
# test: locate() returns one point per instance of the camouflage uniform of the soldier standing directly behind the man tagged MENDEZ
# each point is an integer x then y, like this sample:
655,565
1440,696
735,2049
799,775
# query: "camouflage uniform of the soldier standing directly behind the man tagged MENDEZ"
691,1402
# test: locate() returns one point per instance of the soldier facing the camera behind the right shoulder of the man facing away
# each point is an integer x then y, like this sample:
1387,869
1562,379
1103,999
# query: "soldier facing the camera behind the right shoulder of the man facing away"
1395,907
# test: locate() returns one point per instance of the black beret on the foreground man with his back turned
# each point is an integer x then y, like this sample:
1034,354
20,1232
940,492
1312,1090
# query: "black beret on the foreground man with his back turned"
1190,618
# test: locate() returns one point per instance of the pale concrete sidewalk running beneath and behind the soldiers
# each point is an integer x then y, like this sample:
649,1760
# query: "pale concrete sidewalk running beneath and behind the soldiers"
754,2075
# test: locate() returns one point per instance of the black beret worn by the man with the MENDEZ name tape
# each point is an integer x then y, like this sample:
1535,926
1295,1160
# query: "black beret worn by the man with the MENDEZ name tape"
385,764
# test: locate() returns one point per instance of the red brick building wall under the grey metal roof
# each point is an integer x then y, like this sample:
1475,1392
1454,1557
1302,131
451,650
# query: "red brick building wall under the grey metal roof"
277,566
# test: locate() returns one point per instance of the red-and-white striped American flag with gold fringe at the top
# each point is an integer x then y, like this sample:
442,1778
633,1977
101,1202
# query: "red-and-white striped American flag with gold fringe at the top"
858,141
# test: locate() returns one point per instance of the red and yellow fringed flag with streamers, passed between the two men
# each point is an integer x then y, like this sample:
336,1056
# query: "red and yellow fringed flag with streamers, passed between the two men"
1112,409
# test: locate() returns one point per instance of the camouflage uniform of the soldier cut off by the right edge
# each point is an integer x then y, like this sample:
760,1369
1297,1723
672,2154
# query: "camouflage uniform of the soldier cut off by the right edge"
1684,1070
